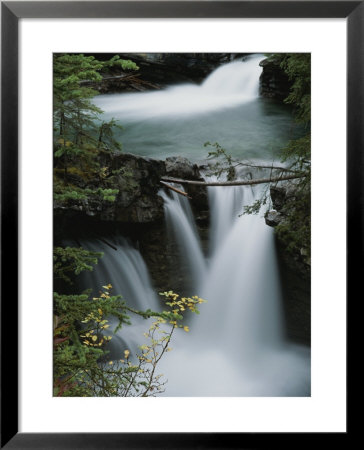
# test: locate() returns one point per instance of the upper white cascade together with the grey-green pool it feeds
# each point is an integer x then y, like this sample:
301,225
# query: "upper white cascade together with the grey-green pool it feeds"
225,108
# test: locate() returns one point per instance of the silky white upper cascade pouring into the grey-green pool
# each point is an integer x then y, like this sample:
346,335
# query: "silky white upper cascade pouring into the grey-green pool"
228,86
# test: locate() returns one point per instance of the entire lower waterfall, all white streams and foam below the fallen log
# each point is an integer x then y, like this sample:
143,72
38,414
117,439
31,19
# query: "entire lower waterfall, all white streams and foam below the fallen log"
237,345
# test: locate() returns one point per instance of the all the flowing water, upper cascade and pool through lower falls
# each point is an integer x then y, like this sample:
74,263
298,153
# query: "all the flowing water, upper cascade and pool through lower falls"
237,345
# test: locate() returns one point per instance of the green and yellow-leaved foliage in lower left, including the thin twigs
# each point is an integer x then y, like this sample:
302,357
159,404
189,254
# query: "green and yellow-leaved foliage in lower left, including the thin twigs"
82,331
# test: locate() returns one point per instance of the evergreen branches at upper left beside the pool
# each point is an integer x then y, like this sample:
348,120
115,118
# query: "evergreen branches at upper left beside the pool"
79,134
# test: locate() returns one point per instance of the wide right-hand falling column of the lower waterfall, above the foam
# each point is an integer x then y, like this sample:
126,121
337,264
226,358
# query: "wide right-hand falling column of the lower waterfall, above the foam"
241,283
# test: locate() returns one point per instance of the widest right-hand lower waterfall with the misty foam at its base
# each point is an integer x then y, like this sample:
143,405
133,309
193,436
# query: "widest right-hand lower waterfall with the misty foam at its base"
236,346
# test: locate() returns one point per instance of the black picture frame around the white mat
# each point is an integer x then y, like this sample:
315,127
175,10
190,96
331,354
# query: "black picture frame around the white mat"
11,12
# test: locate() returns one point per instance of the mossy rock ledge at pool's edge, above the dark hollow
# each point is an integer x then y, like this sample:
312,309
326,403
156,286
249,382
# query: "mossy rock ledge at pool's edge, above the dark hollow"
137,180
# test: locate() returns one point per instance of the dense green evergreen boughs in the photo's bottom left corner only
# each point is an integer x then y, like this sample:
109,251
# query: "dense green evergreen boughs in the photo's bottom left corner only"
79,341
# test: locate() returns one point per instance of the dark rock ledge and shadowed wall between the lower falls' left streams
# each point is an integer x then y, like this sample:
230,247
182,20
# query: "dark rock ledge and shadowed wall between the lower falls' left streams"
137,213
